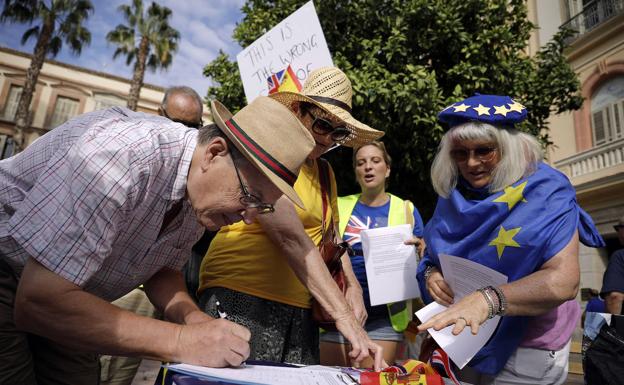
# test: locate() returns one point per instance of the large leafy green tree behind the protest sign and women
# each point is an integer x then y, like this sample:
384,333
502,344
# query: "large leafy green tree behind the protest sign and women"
407,60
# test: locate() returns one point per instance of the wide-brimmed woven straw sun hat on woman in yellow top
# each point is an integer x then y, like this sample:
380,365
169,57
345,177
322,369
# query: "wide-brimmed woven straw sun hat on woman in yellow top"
329,89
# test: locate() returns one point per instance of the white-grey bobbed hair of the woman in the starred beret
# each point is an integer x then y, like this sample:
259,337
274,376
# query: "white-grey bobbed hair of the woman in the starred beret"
520,153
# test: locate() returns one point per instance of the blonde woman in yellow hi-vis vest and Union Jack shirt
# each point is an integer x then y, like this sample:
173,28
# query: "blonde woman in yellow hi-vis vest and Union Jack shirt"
372,208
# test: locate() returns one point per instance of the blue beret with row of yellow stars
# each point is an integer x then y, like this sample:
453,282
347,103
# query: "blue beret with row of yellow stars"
492,109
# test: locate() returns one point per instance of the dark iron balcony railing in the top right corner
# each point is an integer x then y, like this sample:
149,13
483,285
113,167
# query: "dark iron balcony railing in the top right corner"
592,15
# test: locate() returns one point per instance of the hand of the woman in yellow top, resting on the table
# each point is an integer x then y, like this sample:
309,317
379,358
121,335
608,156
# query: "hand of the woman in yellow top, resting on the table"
361,346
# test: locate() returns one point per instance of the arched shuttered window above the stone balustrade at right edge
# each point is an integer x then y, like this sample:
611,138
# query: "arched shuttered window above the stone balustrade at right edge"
607,106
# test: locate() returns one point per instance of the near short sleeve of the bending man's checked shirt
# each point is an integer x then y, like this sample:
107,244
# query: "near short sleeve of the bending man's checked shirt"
75,211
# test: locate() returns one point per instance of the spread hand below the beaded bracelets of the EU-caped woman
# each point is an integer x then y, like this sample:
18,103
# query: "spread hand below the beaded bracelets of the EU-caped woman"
472,310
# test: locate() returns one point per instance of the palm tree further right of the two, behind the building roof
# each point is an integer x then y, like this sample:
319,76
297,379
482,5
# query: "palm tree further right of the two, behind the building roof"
148,40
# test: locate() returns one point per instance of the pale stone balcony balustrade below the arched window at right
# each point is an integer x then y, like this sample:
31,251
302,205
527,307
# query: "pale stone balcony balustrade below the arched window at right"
596,159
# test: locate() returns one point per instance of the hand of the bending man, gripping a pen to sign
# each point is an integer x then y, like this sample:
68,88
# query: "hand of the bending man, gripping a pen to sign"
216,343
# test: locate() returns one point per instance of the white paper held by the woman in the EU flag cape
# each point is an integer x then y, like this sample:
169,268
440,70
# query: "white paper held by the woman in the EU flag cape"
464,277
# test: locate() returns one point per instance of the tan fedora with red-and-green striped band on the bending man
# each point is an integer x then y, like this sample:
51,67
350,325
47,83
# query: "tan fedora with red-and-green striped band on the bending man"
271,138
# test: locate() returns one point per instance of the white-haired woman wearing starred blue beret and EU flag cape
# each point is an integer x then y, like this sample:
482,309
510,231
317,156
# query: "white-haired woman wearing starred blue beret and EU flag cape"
502,207
